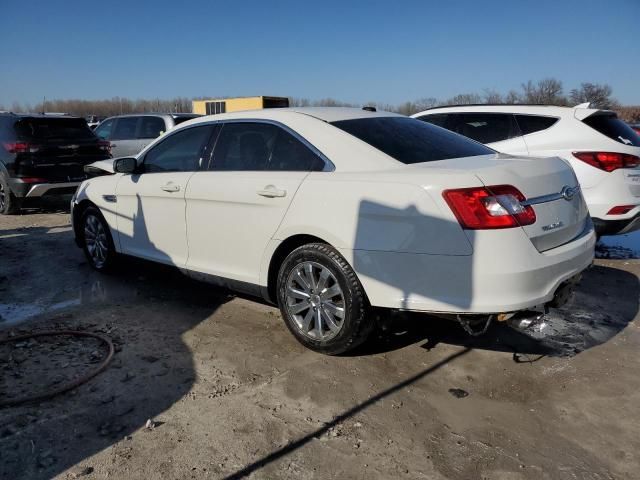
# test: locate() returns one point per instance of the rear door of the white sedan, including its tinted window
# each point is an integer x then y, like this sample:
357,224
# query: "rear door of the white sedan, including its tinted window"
235,207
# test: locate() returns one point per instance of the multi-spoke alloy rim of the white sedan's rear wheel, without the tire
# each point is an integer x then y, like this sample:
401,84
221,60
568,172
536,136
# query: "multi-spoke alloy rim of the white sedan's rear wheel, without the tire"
315,301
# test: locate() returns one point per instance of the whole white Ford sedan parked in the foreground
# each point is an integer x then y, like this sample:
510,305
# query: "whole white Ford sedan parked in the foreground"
330,211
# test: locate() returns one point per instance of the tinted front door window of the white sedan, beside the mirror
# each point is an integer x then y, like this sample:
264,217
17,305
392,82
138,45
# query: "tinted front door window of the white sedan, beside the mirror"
179,152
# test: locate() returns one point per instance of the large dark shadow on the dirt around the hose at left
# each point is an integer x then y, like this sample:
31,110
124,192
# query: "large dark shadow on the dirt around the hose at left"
145,309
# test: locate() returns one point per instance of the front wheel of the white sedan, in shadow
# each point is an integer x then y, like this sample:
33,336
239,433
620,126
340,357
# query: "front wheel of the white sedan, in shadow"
96,240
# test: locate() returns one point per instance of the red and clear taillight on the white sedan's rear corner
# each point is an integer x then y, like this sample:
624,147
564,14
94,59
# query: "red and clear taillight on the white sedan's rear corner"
498,206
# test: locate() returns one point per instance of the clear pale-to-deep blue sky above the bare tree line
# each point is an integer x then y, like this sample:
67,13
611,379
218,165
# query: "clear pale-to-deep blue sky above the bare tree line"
356,51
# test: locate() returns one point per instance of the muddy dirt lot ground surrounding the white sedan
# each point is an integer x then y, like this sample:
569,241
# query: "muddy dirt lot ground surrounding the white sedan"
230,393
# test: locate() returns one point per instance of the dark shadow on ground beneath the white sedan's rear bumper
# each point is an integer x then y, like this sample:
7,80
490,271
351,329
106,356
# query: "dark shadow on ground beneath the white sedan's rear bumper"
595,314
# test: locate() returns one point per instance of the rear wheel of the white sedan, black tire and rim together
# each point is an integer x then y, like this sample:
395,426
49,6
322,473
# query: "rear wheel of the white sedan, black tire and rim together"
322,301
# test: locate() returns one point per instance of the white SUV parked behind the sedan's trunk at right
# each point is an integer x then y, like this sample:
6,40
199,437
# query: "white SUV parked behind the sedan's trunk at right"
602,149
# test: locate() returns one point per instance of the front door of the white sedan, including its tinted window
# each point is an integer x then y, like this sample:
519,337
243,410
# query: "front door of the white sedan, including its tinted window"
150,203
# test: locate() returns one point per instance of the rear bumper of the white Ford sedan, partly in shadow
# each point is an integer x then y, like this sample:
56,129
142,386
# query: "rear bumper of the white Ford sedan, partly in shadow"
504,274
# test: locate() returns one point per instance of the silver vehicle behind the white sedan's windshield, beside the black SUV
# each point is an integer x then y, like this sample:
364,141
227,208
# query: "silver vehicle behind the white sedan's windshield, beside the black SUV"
128,134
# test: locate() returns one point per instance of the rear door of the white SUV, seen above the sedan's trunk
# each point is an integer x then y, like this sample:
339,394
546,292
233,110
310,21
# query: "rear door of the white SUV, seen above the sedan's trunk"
496,130
